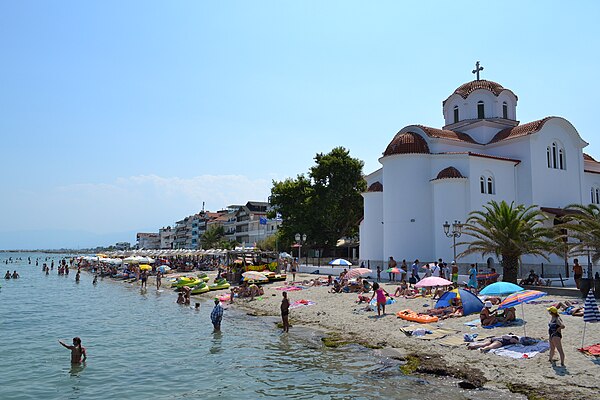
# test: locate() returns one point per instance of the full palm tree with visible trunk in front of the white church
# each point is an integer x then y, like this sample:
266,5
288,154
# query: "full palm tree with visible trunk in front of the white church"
509,231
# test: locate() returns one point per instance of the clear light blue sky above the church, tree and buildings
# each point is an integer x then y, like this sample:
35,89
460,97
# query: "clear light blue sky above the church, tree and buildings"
119,117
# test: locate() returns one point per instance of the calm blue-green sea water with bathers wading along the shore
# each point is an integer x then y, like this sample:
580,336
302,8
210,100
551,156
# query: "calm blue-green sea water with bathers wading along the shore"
142,345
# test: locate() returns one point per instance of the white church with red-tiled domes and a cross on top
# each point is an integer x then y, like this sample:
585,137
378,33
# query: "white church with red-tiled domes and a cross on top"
429,176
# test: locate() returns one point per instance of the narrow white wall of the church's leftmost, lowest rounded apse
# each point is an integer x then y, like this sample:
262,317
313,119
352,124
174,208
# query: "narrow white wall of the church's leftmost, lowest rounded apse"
371,228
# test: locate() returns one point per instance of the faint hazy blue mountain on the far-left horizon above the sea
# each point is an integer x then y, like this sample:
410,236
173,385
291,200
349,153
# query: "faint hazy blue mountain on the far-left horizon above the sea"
57,239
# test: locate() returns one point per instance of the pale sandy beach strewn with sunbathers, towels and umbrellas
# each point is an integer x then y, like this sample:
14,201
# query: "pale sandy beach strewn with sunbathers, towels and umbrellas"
444,352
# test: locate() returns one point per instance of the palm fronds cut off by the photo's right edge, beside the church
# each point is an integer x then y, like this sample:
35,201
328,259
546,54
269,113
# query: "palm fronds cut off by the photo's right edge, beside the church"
584,226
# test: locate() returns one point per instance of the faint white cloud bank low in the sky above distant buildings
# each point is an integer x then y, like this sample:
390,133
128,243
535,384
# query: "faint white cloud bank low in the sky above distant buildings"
132,203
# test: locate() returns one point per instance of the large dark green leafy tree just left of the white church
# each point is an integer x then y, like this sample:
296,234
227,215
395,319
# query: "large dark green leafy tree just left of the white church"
326,204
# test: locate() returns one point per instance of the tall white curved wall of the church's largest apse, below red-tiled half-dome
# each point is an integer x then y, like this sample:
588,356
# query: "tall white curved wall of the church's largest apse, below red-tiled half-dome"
407,207
